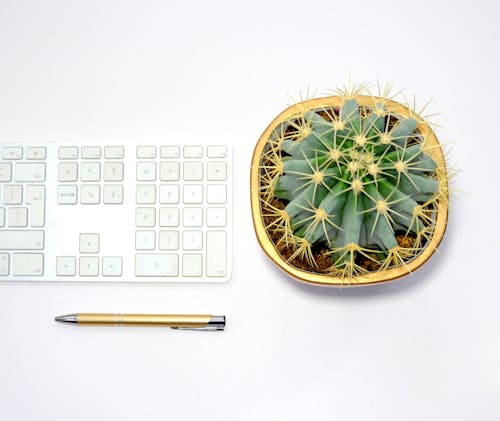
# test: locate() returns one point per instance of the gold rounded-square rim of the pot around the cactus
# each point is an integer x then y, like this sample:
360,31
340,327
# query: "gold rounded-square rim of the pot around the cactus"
365,279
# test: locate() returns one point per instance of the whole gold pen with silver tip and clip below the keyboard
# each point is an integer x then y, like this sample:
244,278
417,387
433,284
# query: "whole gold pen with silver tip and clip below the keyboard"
175,321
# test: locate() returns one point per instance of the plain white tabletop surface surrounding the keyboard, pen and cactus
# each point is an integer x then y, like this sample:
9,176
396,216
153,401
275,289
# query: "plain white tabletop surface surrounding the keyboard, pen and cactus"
425,347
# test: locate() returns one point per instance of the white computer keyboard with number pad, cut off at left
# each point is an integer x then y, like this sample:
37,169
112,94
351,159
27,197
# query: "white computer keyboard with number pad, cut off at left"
115,212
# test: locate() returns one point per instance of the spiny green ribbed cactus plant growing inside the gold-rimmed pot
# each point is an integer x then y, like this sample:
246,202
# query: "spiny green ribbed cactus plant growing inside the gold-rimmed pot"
351,177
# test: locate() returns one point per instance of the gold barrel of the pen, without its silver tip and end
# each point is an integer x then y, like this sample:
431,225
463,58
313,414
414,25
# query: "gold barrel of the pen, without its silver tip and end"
167,320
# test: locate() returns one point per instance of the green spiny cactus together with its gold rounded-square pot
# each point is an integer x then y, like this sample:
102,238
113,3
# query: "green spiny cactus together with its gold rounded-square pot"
349,189
